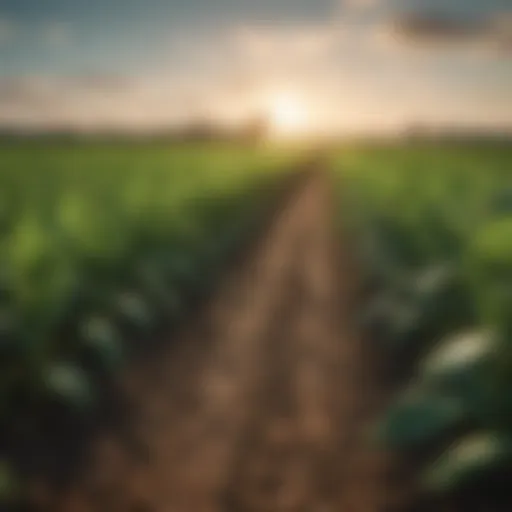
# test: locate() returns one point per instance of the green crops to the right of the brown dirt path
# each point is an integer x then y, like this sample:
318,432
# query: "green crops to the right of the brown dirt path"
433,227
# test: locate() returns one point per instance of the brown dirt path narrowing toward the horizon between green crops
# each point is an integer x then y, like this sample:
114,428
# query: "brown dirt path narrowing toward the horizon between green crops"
263,405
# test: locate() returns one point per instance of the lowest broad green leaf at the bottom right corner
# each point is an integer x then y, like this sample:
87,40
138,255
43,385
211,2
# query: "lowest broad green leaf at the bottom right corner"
471,459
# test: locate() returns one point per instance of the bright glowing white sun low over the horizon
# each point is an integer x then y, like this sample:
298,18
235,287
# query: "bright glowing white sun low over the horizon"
288,115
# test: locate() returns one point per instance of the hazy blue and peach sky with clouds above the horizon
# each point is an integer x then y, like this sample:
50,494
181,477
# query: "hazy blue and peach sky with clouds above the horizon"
317,65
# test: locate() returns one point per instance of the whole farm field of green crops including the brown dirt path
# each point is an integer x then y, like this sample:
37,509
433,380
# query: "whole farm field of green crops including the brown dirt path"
365,332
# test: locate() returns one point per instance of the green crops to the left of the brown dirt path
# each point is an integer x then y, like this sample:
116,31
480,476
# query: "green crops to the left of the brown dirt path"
99,246
